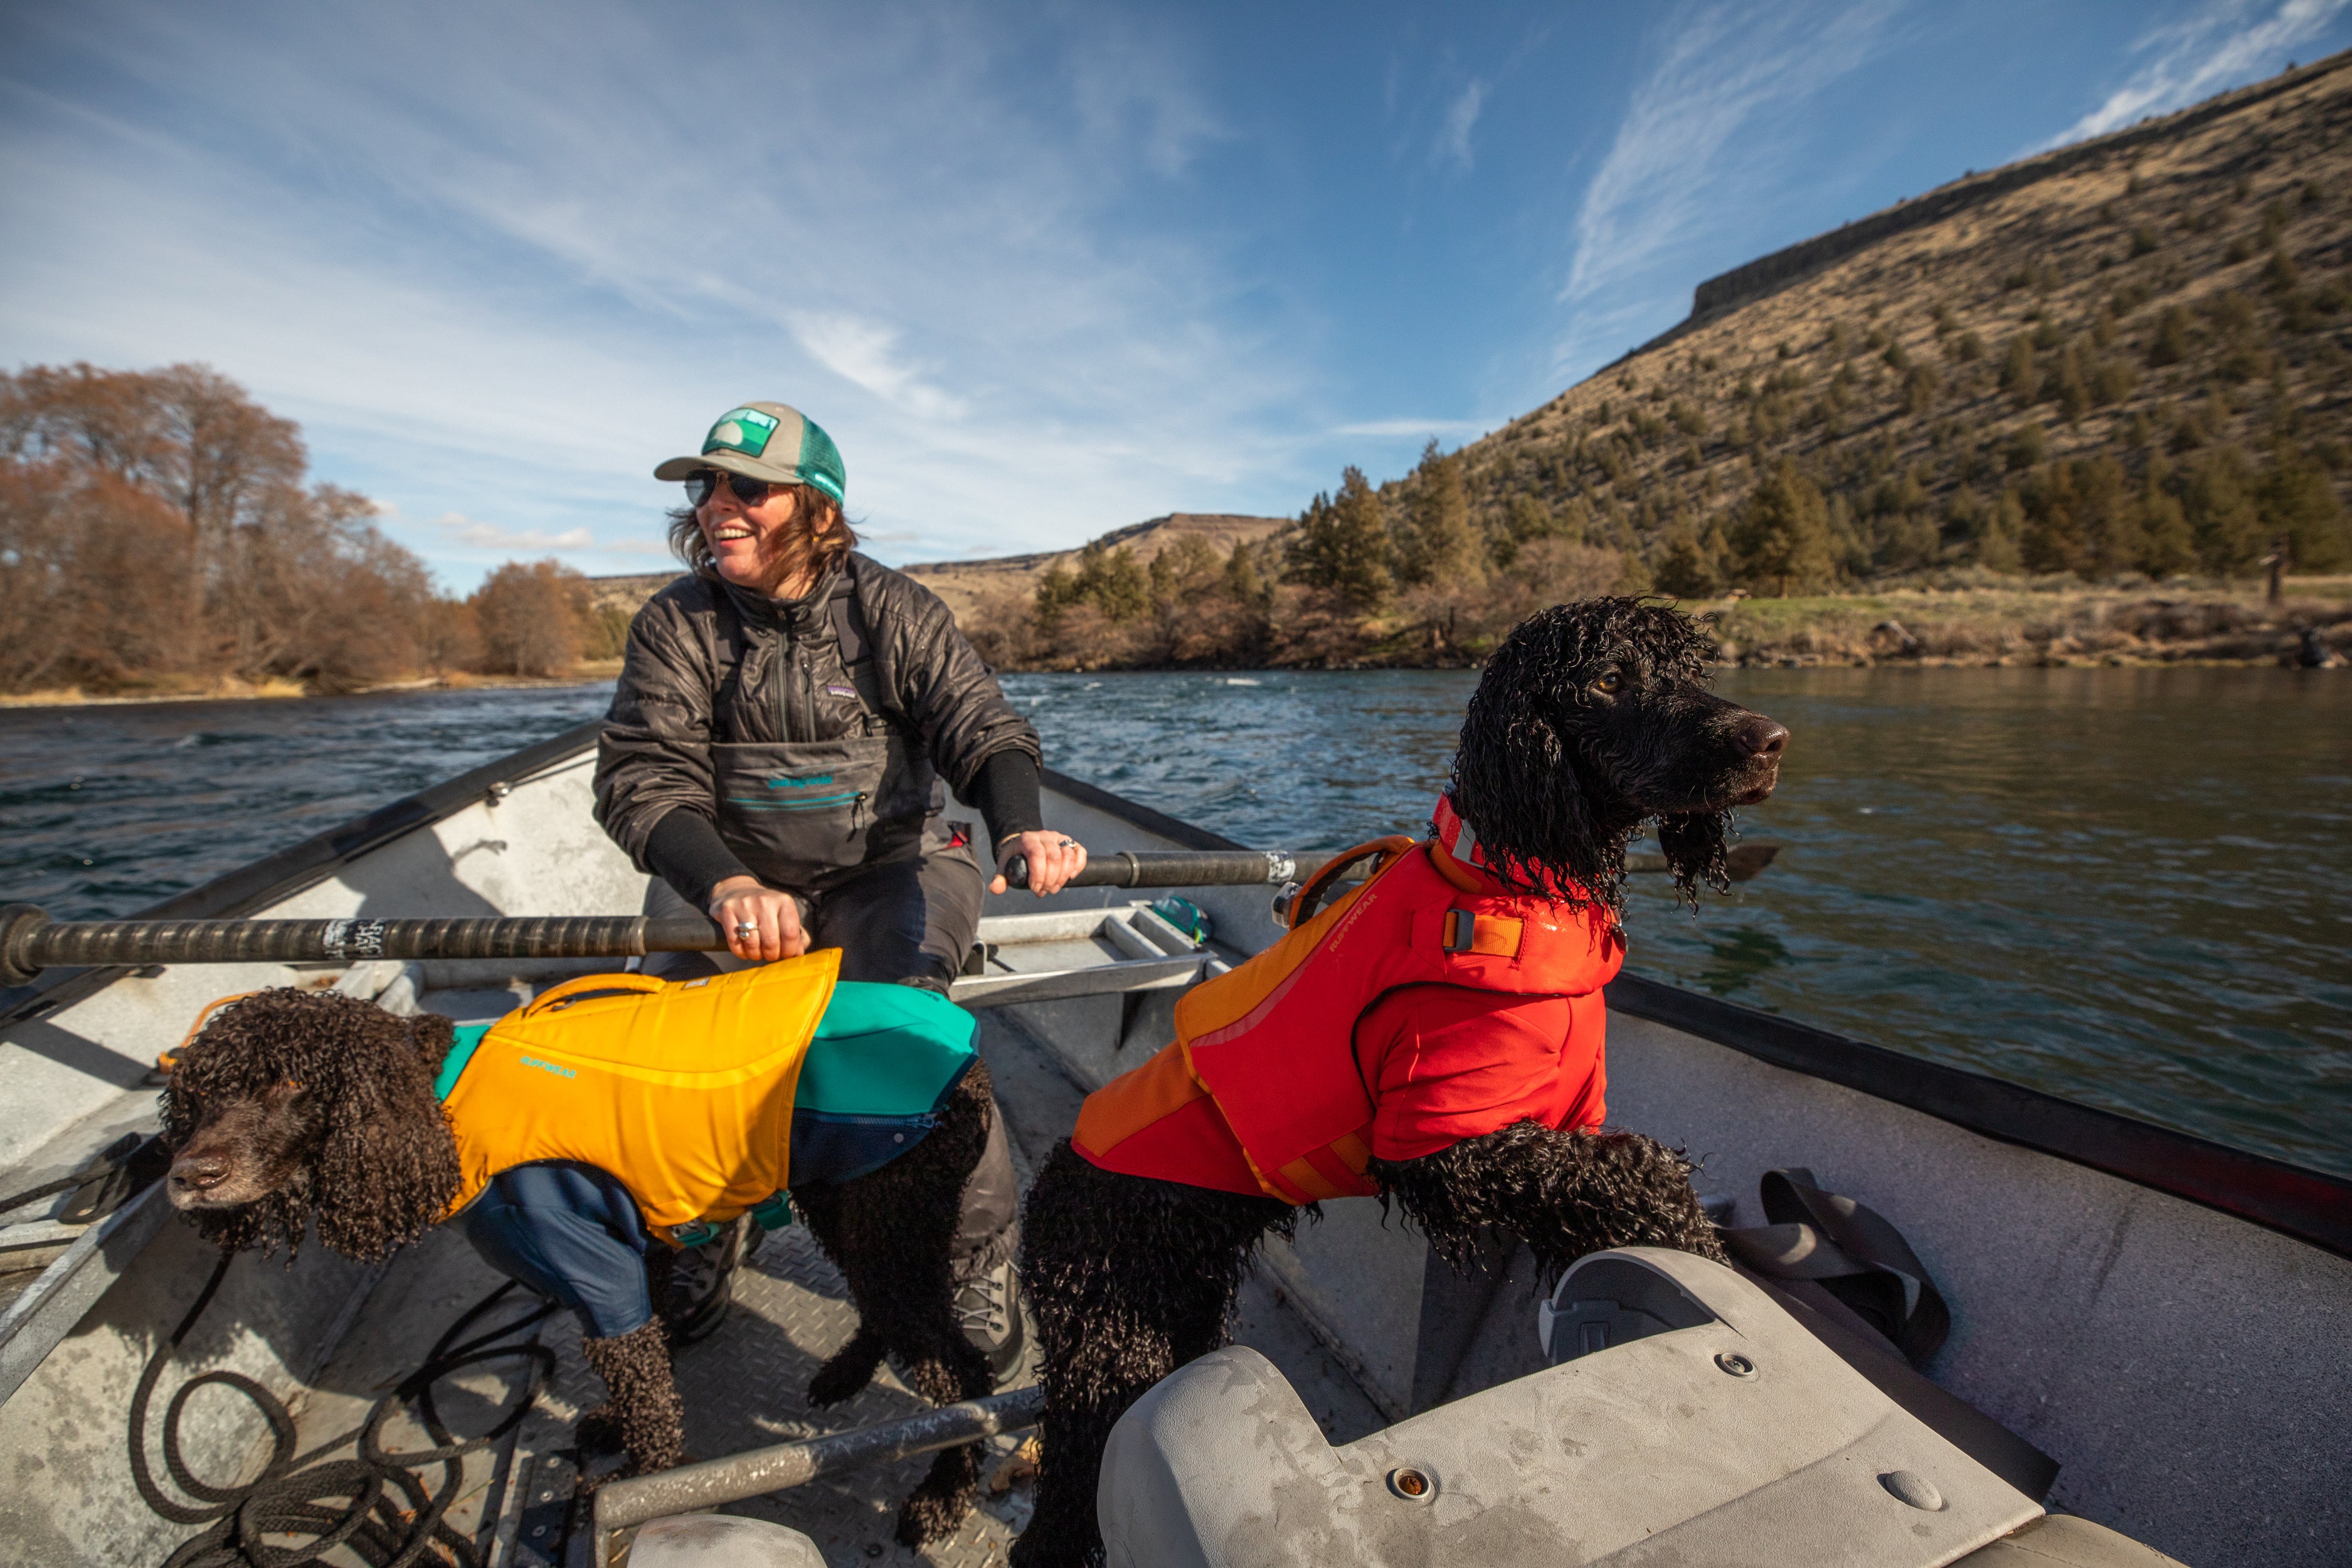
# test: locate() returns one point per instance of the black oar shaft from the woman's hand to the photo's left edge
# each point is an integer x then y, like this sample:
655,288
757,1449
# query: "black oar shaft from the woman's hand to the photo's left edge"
32,942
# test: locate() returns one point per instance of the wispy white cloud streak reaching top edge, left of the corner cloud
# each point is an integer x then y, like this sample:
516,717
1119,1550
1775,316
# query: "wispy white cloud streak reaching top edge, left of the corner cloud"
1704,135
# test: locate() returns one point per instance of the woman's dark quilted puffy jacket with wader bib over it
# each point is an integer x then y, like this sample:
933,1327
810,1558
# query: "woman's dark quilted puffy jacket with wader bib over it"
810,732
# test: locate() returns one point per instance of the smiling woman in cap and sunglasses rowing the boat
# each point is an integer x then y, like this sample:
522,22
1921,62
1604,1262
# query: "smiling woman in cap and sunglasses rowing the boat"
780,756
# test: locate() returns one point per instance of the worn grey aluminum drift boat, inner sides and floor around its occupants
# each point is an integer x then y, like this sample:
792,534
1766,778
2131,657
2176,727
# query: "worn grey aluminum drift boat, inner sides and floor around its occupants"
2165,1318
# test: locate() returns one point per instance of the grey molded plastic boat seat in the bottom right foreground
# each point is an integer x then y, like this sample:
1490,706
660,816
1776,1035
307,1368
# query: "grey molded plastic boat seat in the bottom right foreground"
1702,1426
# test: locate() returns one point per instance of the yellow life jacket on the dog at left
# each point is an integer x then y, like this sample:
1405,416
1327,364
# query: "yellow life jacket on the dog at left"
683,1090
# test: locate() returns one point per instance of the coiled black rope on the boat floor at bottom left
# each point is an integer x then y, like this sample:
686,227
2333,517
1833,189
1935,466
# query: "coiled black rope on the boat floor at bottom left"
392,1517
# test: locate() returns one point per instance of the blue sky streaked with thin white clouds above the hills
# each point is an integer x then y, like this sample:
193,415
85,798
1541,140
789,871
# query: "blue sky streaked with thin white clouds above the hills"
1041,272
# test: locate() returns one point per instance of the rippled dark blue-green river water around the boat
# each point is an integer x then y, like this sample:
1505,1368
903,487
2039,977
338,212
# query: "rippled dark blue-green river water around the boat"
2127,887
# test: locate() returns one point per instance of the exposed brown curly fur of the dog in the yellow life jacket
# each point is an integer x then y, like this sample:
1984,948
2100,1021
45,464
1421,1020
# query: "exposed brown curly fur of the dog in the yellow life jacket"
295,1106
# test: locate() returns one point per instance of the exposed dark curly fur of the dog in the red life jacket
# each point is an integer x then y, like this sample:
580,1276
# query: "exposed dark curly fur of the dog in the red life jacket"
1589,721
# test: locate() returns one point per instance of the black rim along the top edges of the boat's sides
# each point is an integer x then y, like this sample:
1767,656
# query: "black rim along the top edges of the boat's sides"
2313,1207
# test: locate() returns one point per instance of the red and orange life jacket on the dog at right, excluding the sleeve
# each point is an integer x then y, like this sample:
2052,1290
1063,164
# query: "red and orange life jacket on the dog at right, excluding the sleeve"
1267,1054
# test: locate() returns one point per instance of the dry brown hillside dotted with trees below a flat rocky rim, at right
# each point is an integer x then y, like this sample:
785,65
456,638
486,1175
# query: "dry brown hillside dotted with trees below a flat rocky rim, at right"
2116,359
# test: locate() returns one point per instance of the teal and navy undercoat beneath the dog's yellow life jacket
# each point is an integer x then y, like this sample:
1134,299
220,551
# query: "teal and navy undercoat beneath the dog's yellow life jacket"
871,1087
